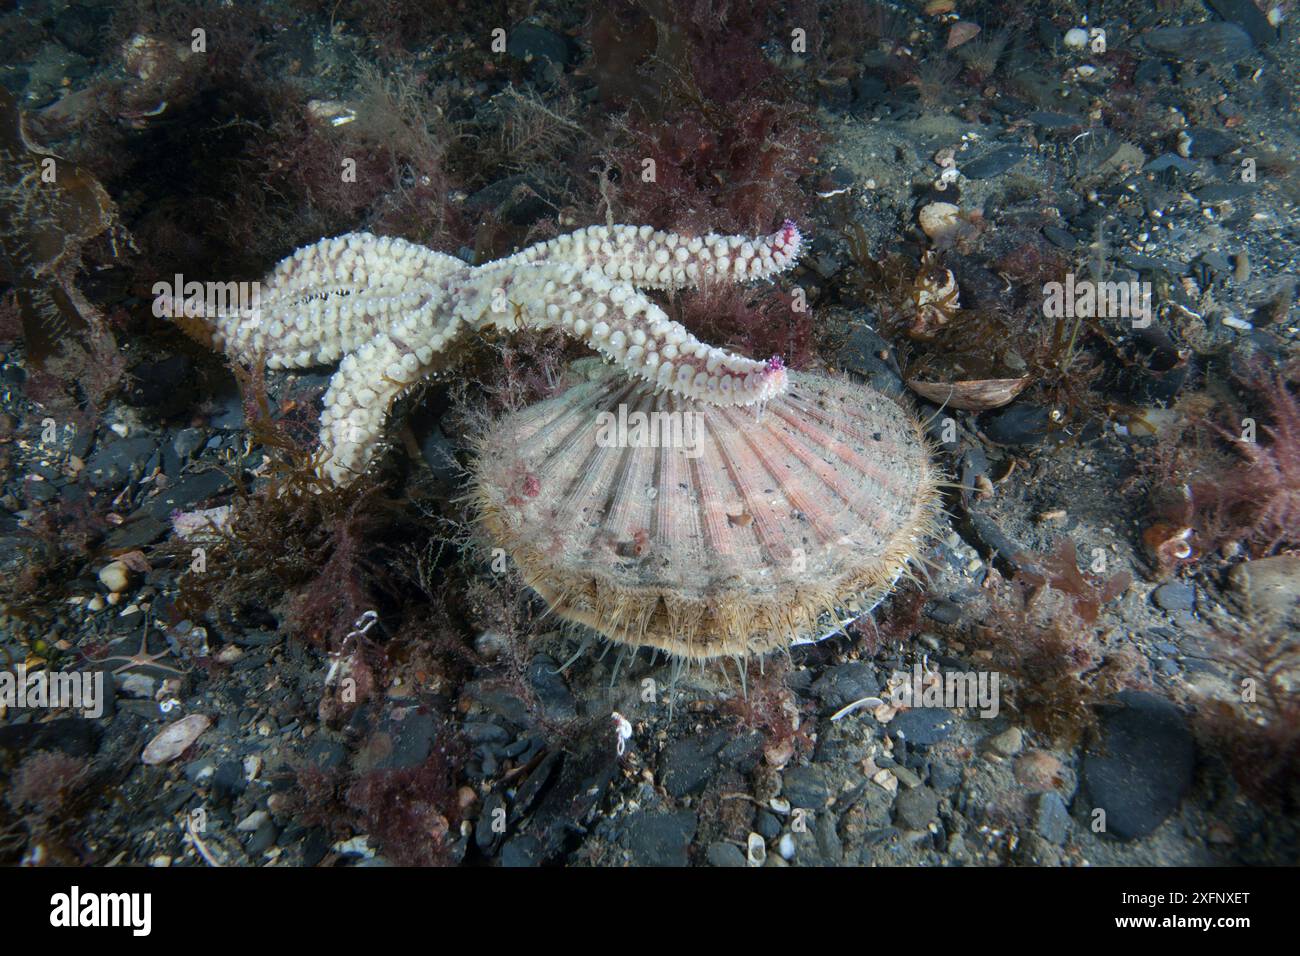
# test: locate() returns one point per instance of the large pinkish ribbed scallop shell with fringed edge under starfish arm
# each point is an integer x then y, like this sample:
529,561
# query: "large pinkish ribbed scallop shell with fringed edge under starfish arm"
709,531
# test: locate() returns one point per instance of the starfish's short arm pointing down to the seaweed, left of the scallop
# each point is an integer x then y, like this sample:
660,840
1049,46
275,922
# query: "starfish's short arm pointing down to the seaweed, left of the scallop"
372,378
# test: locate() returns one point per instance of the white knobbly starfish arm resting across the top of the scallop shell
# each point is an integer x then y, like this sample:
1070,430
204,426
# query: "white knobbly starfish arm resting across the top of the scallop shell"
618,322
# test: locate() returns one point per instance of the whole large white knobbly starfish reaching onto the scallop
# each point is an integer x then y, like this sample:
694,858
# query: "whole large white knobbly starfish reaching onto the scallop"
389,309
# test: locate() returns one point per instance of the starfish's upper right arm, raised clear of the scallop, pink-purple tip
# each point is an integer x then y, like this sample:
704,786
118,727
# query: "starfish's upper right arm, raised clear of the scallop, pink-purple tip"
652,259
